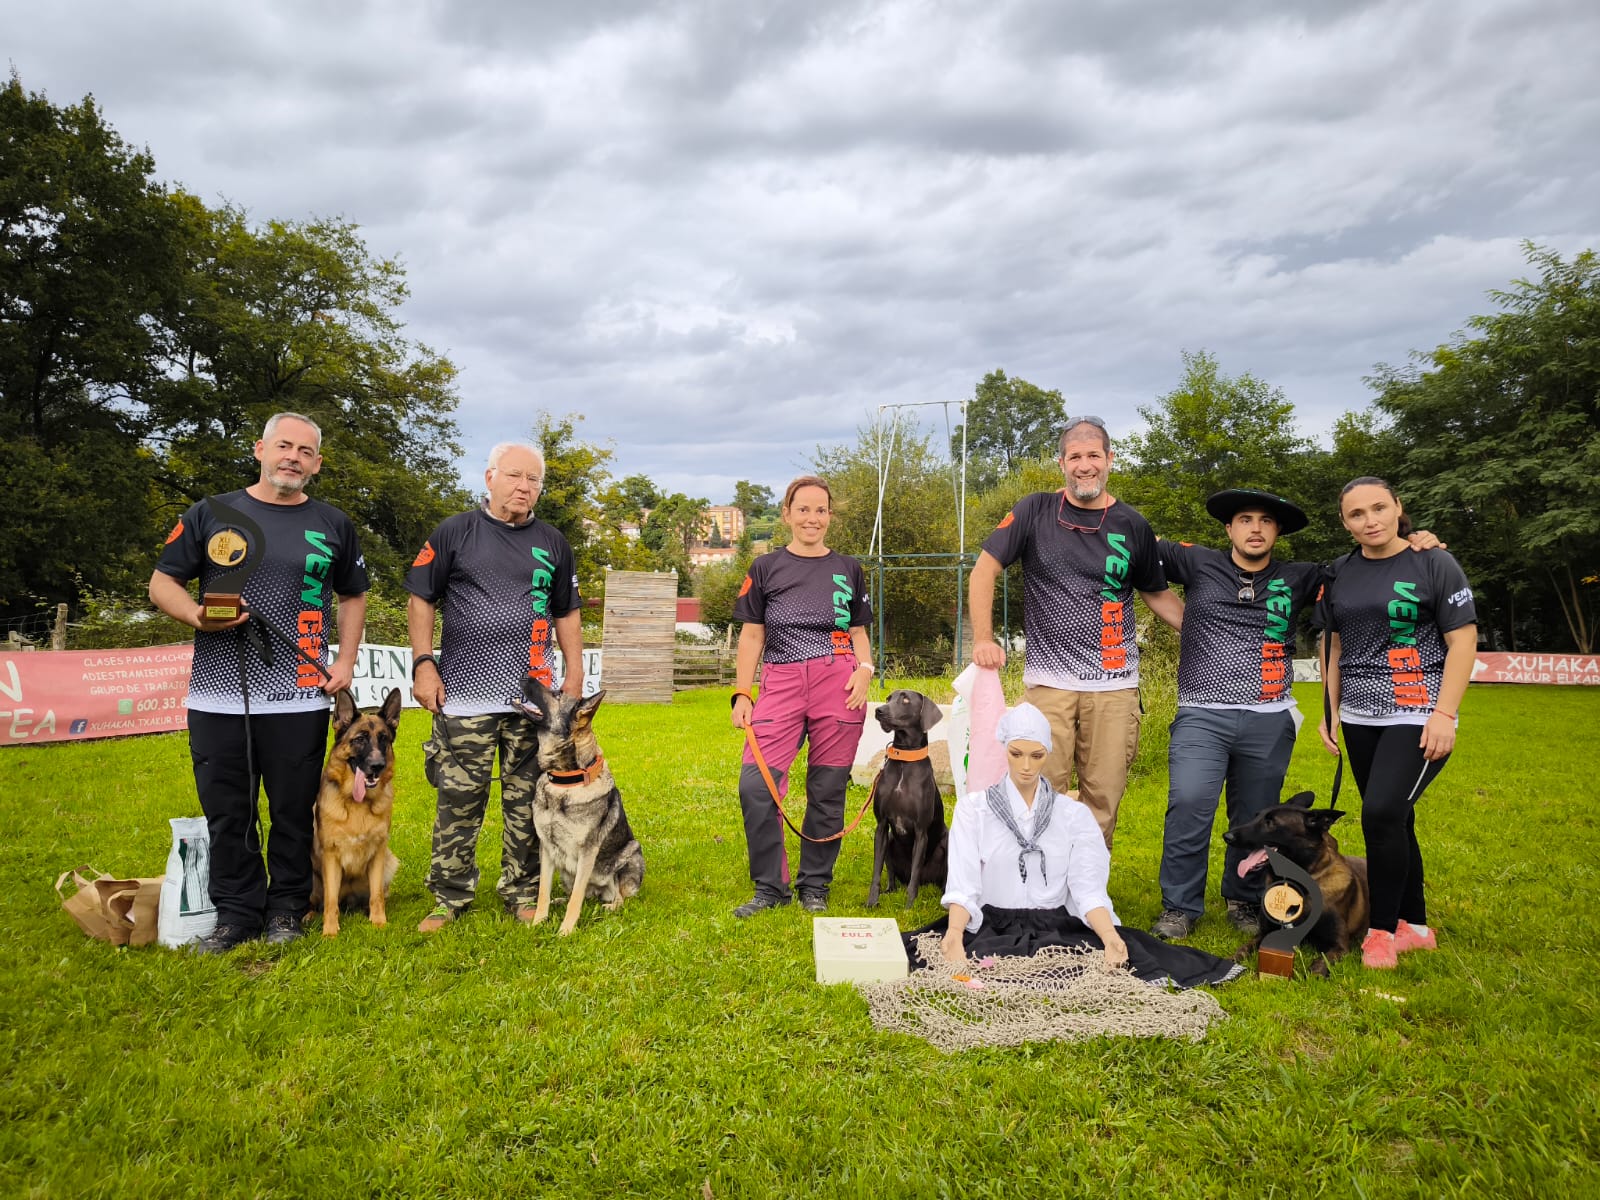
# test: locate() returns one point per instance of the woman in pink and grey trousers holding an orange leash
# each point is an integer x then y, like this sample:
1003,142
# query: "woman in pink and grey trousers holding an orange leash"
806,622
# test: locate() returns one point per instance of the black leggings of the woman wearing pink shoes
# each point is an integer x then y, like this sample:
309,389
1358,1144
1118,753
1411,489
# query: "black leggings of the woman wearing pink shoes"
1391,774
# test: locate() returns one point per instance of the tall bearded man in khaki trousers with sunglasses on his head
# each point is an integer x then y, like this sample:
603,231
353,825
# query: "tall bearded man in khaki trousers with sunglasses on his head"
1084,556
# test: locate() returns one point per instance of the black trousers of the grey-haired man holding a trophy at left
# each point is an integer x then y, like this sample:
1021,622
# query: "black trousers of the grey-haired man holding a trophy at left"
290,750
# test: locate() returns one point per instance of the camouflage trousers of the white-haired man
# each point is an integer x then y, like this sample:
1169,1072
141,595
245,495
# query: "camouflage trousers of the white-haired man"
460,762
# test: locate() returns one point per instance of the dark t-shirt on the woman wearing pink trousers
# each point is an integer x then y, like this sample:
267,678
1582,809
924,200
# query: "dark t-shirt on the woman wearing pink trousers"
806,606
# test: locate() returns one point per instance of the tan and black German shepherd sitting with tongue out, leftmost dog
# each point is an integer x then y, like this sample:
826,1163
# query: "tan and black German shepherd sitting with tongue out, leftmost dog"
350,850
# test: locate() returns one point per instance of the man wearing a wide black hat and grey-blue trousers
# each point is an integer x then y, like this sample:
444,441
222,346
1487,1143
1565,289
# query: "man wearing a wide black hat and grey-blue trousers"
1236,721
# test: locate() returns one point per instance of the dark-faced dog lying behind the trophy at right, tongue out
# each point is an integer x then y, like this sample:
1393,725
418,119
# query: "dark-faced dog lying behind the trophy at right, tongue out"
1300,833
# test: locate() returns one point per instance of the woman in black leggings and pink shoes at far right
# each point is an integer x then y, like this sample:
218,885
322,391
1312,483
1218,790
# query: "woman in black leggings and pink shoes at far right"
1402,636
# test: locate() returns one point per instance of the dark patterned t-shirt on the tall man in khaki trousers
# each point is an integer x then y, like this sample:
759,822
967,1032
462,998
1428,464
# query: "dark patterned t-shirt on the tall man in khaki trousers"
1078,590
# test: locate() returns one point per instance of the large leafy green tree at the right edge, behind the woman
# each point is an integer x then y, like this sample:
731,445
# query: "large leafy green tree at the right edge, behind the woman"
1503,449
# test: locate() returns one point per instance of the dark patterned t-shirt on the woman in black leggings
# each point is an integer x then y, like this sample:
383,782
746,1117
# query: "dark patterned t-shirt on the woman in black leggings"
1391,617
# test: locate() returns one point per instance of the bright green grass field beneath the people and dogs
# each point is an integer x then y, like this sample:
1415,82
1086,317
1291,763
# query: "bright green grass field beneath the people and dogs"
671,1050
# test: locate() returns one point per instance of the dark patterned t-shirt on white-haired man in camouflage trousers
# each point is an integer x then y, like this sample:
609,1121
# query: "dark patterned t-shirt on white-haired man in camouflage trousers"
502,588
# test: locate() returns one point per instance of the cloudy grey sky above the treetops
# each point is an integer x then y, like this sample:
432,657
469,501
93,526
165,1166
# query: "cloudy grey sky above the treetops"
730,231
